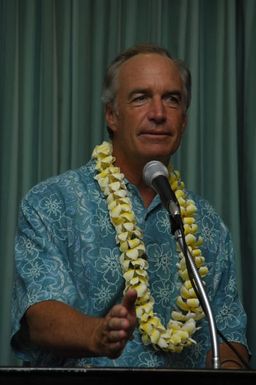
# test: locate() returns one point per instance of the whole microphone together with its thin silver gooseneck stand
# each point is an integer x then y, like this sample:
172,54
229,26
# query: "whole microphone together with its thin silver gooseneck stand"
155,175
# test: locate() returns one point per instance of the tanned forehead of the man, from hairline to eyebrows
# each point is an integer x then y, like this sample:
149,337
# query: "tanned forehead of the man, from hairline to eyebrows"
150,68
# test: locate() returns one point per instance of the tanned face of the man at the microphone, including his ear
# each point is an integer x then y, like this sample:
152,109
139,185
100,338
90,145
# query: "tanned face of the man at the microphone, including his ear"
149,115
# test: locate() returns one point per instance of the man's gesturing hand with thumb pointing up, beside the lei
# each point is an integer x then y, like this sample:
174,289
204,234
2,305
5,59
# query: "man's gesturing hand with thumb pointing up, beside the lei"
113,332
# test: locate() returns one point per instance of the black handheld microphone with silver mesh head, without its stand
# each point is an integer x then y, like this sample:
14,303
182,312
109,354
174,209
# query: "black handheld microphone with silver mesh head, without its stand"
155,175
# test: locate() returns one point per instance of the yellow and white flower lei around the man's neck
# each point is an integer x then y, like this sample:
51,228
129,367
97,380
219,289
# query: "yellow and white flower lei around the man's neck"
182,324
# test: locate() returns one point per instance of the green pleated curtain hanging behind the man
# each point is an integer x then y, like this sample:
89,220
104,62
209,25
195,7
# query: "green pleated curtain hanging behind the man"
53,55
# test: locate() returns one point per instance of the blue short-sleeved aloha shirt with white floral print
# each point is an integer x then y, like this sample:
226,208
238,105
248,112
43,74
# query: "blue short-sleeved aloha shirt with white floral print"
66,251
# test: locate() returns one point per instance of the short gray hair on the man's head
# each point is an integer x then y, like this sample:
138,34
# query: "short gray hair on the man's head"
110,84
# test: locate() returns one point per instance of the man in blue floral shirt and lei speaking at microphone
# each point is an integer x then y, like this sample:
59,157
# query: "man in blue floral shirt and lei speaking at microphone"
100,281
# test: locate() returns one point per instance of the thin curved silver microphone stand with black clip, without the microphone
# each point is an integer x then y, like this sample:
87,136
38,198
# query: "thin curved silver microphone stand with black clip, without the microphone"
177,231
